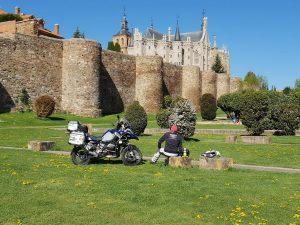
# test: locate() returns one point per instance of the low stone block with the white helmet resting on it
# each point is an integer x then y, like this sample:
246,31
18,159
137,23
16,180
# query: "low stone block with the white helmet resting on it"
217,163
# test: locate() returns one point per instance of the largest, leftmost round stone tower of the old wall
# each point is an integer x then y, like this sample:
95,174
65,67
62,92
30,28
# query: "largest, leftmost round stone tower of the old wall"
81,77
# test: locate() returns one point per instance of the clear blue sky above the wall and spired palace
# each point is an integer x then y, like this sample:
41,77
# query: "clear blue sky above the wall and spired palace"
261,35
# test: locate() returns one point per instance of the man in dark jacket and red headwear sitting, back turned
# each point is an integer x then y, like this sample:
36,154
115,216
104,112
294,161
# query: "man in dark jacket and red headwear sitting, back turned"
173,146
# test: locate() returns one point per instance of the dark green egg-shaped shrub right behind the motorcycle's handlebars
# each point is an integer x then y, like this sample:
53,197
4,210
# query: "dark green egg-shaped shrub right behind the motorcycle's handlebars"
137,117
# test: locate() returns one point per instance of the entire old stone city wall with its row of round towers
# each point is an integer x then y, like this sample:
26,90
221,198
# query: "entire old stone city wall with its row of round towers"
84,80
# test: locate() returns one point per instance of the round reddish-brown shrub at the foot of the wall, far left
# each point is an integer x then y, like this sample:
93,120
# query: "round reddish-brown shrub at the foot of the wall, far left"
44,106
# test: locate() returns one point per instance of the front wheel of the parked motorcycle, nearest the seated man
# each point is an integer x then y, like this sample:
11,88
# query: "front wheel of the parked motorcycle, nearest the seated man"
131,156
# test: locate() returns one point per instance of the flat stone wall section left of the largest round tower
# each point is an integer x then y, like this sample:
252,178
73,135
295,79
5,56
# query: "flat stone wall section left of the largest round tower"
32,63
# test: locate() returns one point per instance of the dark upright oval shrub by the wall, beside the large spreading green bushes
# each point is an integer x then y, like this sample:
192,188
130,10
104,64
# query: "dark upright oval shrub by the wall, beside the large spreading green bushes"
208,107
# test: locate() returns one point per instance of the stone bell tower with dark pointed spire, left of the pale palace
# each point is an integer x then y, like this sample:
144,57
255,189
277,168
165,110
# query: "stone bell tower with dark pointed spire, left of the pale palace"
123,37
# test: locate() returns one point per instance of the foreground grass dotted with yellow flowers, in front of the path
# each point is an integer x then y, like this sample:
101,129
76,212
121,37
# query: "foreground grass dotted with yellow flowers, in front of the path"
48,189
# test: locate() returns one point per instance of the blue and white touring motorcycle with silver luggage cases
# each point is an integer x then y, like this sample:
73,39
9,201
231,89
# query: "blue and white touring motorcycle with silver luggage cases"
113,143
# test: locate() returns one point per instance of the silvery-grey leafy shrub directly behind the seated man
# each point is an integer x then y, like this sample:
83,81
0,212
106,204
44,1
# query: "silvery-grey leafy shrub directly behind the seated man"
184,116
